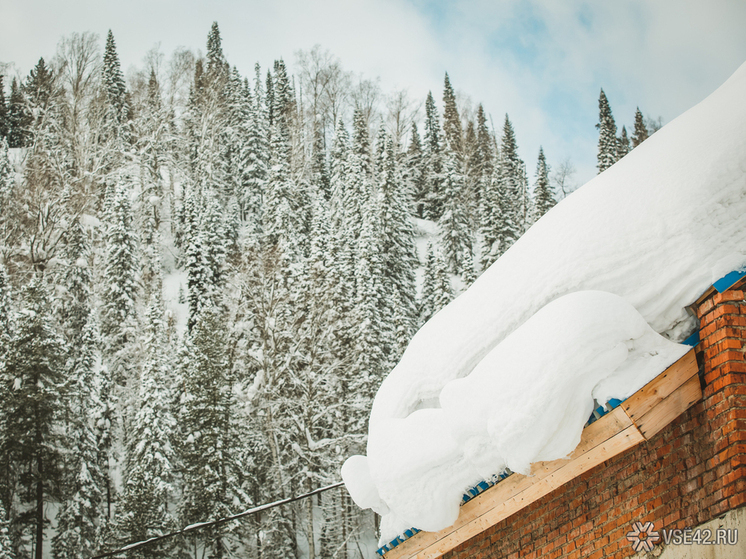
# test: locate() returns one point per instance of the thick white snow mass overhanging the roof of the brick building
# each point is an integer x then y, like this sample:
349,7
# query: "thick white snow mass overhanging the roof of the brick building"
651,233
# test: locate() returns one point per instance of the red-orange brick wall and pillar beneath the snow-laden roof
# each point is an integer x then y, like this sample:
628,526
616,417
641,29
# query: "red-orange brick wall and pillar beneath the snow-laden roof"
691,472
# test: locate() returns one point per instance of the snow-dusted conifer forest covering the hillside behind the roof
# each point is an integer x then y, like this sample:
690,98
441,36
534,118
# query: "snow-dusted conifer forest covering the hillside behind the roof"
205,277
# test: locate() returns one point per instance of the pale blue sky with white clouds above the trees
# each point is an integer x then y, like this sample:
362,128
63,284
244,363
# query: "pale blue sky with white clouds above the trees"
541,61
